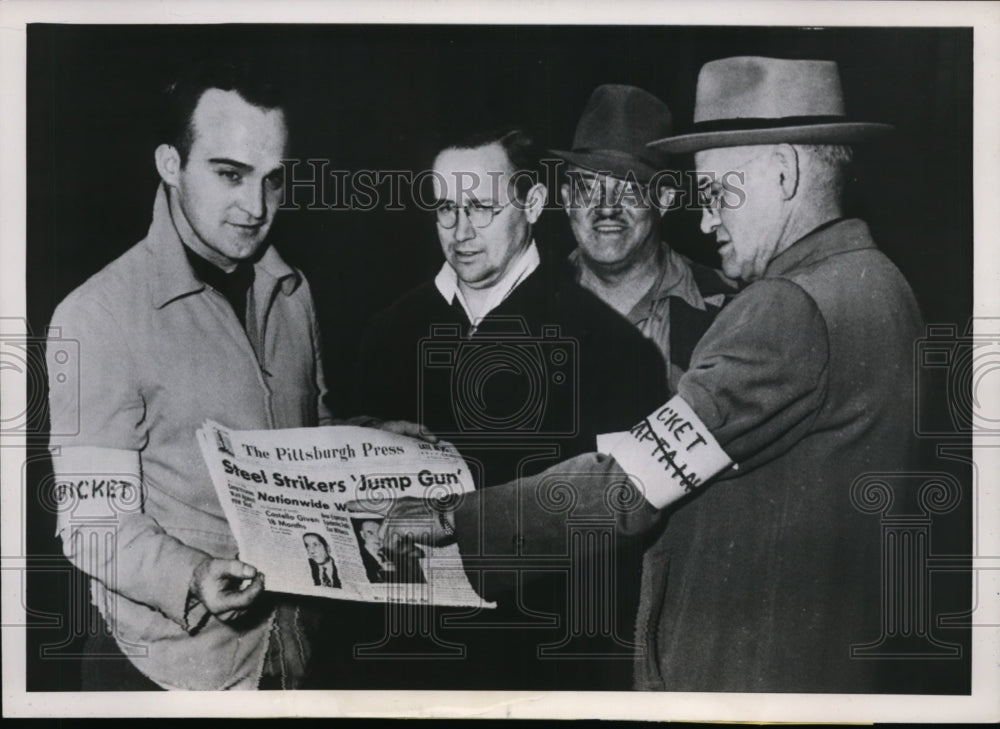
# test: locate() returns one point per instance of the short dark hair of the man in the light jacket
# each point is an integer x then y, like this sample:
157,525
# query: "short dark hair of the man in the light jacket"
181,96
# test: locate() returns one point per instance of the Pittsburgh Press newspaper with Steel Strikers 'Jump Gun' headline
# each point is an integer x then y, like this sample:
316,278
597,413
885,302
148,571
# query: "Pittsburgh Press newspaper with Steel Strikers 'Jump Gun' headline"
286,493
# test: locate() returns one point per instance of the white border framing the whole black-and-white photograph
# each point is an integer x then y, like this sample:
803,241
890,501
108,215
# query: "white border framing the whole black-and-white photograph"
982,705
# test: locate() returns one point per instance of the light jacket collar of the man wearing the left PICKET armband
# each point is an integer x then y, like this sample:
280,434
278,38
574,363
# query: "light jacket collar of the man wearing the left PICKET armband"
174,276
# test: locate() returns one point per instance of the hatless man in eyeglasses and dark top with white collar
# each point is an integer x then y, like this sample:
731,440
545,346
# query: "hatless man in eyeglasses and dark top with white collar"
504,355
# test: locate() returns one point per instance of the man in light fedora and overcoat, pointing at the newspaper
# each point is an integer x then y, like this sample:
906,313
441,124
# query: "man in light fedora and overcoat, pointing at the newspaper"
798,398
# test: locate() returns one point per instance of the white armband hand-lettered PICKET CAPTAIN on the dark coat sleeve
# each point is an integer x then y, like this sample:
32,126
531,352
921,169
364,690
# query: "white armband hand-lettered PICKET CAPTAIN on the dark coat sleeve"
667,455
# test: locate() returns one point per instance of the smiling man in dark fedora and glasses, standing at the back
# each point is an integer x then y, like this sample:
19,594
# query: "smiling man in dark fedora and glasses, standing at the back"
615,195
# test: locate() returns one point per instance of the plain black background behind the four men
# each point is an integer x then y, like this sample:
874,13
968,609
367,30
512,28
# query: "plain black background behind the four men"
373,97
